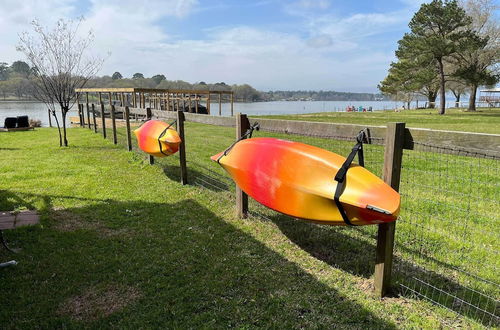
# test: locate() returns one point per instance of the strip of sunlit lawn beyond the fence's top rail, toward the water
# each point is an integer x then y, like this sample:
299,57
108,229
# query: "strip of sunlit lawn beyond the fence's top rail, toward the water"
485,120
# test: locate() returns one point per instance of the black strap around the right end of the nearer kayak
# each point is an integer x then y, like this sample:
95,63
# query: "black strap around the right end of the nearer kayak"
342,172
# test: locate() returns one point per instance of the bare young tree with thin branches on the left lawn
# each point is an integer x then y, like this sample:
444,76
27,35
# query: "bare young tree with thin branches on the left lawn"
62,63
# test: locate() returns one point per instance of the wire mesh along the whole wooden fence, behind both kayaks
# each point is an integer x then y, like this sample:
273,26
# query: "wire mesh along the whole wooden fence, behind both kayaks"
446,238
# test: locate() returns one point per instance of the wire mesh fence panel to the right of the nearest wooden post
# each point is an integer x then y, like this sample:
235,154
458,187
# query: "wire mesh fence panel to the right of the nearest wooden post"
448,235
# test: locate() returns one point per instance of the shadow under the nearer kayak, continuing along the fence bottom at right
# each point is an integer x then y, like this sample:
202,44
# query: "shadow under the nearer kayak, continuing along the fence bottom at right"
337,248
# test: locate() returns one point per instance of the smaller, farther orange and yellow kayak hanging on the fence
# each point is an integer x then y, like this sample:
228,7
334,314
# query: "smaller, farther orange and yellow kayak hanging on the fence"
157,138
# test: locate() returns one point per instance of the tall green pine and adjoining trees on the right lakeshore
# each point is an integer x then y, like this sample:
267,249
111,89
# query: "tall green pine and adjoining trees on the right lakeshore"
452,46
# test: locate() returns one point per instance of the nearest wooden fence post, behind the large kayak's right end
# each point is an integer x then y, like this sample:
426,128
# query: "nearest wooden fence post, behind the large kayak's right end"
394,141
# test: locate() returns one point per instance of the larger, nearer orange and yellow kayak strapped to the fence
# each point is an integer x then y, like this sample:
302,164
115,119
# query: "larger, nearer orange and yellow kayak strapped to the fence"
298,180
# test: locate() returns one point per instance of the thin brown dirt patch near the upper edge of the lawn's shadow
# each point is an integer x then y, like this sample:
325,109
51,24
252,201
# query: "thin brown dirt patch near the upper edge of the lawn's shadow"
67,221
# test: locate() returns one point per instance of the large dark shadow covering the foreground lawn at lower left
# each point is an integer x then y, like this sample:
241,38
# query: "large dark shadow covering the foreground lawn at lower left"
190,267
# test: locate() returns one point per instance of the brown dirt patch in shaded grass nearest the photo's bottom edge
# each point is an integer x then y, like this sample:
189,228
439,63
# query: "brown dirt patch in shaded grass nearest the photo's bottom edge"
96,303
